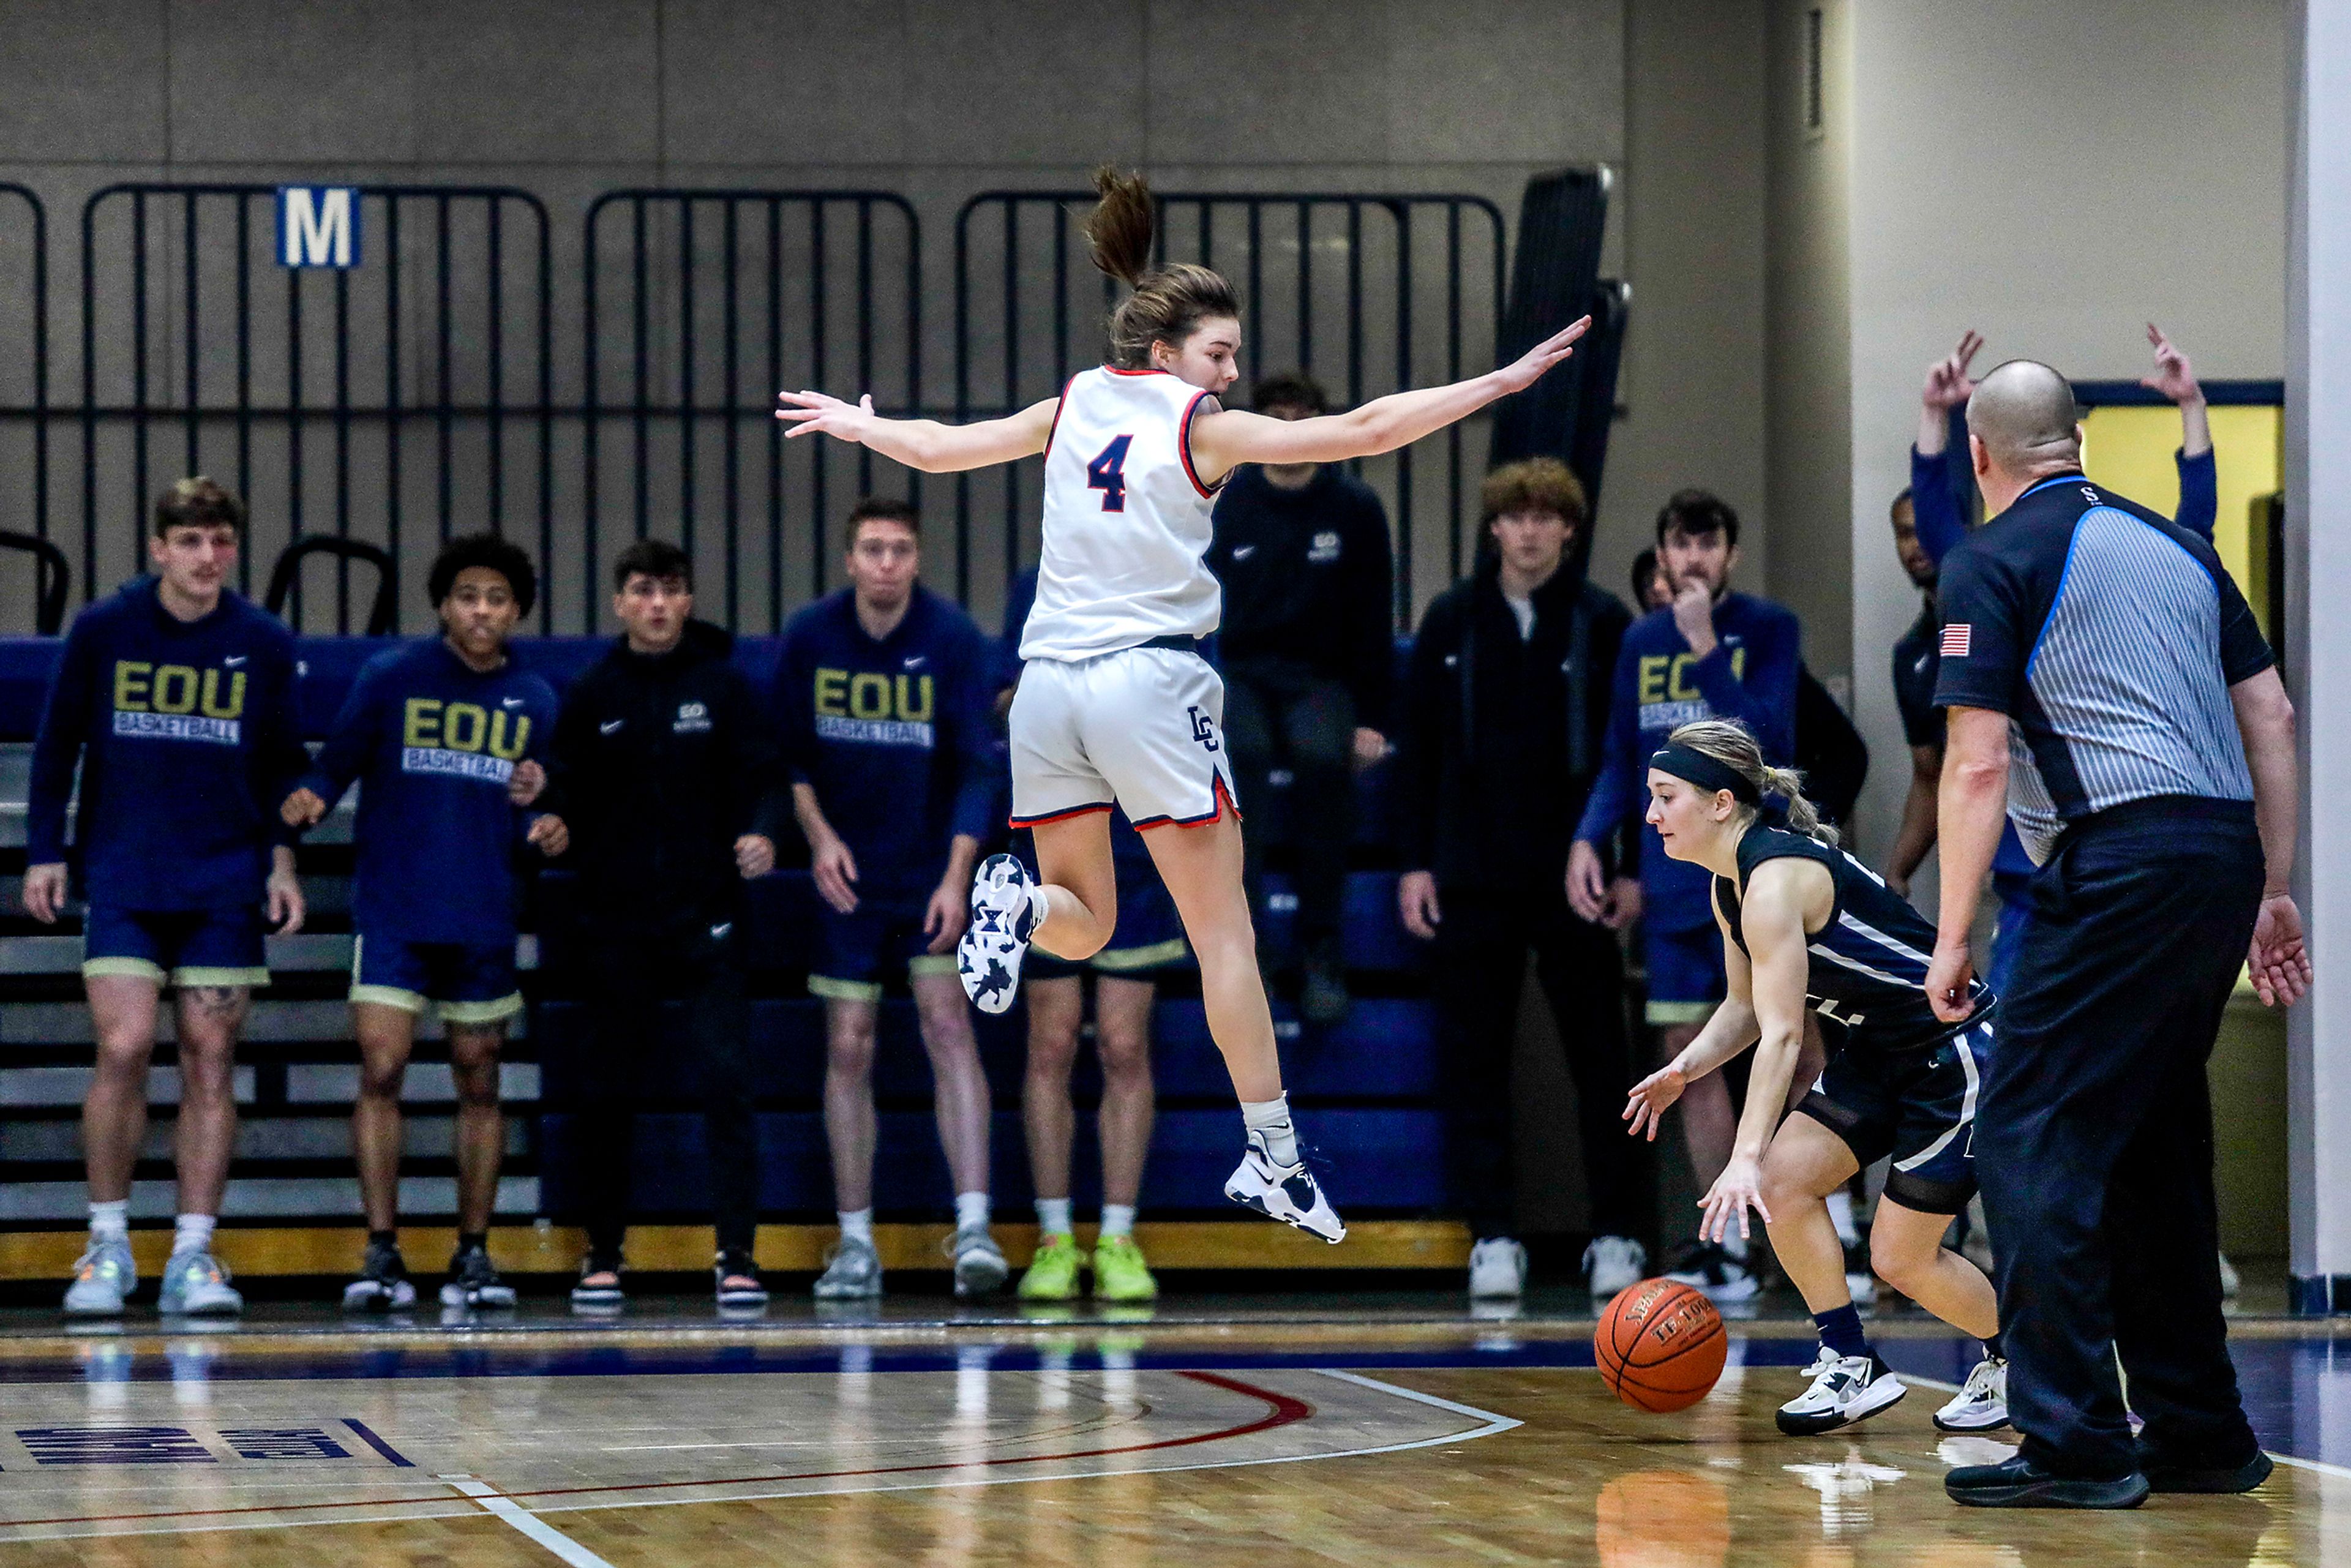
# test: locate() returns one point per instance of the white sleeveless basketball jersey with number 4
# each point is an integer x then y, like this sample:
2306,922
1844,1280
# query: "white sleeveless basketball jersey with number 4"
1125,521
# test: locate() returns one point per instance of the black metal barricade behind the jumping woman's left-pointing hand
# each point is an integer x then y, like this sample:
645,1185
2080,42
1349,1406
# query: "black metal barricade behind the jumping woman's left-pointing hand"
723,300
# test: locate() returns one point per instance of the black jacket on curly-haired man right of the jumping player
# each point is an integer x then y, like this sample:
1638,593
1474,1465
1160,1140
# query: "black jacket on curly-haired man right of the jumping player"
1503,735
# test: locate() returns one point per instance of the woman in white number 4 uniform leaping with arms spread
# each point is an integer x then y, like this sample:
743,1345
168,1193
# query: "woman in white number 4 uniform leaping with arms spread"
1118,706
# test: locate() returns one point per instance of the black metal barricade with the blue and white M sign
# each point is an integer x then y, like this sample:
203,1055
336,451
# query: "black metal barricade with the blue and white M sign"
424,375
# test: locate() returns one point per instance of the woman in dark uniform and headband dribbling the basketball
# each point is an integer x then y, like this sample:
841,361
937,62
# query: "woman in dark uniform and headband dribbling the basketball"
1807,925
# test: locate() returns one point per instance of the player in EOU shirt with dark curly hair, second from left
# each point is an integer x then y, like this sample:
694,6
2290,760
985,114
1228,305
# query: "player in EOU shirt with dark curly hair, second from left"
446,739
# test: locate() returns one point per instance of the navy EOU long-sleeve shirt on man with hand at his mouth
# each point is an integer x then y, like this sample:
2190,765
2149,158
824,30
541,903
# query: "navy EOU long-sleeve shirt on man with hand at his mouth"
1659,685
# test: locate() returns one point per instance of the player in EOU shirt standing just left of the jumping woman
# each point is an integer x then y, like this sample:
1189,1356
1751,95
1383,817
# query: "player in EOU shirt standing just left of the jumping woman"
885,730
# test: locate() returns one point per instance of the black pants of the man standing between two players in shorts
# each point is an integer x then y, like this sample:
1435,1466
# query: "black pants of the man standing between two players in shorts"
629,979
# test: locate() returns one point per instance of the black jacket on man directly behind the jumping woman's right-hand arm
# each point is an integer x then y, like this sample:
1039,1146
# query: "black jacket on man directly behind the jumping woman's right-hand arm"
1308,582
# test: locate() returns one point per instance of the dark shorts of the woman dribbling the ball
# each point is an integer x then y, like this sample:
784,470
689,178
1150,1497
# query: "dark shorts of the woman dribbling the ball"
1915,1106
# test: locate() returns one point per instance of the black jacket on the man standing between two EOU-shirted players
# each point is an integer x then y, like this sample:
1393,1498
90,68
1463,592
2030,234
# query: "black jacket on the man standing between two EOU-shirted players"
662,763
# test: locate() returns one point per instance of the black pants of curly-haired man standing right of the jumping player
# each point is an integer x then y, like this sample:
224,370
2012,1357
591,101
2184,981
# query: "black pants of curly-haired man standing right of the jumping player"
1480,967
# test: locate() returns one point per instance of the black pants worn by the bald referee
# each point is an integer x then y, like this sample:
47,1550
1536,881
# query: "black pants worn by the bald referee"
2096,1139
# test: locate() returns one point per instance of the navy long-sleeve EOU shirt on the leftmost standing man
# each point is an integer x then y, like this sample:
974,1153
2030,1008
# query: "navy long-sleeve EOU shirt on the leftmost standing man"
187,742
